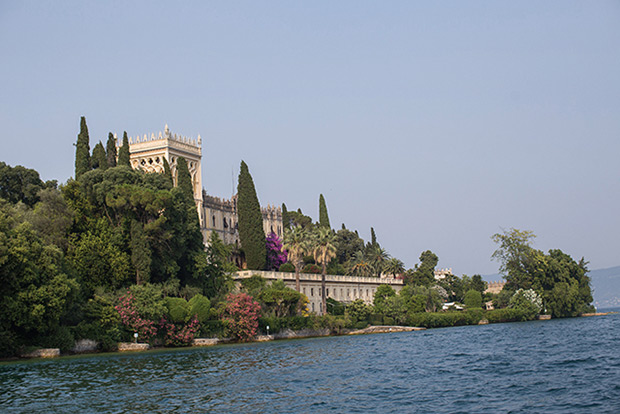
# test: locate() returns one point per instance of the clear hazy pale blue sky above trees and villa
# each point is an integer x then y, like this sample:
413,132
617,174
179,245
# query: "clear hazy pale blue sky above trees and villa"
438,124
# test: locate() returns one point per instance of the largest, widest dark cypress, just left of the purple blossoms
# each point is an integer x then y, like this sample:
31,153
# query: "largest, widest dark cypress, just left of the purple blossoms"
251,233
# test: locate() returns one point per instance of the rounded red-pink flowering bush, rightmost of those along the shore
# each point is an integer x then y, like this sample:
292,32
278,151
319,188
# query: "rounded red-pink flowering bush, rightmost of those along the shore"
241,316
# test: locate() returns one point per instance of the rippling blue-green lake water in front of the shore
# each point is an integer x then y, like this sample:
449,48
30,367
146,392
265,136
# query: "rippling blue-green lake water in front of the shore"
557,366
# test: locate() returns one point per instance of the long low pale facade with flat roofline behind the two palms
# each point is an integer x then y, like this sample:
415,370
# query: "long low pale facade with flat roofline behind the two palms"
344,289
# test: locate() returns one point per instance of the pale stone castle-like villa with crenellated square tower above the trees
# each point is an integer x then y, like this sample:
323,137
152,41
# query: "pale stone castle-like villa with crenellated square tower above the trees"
215,214
